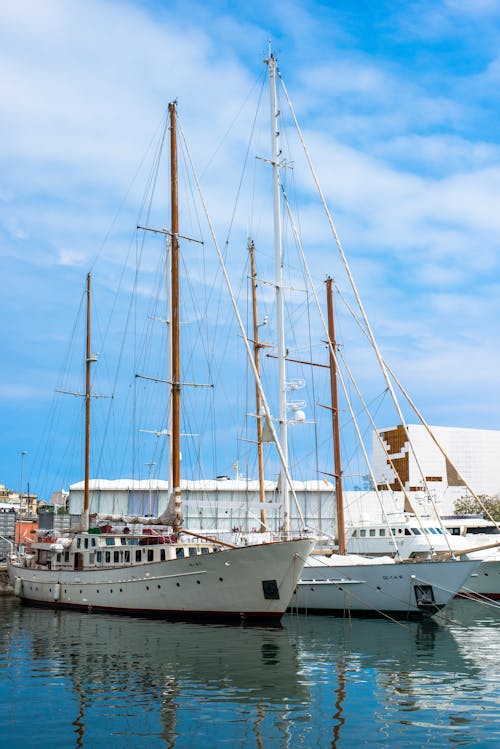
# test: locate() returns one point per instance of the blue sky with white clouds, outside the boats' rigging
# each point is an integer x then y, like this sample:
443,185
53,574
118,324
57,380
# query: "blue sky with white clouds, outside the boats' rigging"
399,103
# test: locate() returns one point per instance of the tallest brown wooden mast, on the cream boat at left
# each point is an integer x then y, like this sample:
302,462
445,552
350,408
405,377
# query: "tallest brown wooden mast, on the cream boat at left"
175,319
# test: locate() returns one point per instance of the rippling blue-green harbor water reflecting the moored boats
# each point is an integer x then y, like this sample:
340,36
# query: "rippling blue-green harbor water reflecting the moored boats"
100,681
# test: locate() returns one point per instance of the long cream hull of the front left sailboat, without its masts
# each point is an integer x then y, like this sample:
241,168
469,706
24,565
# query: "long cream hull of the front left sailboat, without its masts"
252,581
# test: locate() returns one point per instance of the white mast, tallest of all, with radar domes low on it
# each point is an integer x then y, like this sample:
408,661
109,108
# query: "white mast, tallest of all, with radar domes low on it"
280,306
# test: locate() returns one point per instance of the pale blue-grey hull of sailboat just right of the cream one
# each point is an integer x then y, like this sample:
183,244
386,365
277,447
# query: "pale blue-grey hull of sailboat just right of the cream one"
403,590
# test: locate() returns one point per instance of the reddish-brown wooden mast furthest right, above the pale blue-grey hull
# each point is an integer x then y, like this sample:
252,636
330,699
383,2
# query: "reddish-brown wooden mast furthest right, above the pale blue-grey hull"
337,459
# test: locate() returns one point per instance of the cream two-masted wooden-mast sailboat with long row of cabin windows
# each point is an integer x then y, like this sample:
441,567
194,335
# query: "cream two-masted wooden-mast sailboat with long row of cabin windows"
164,571
